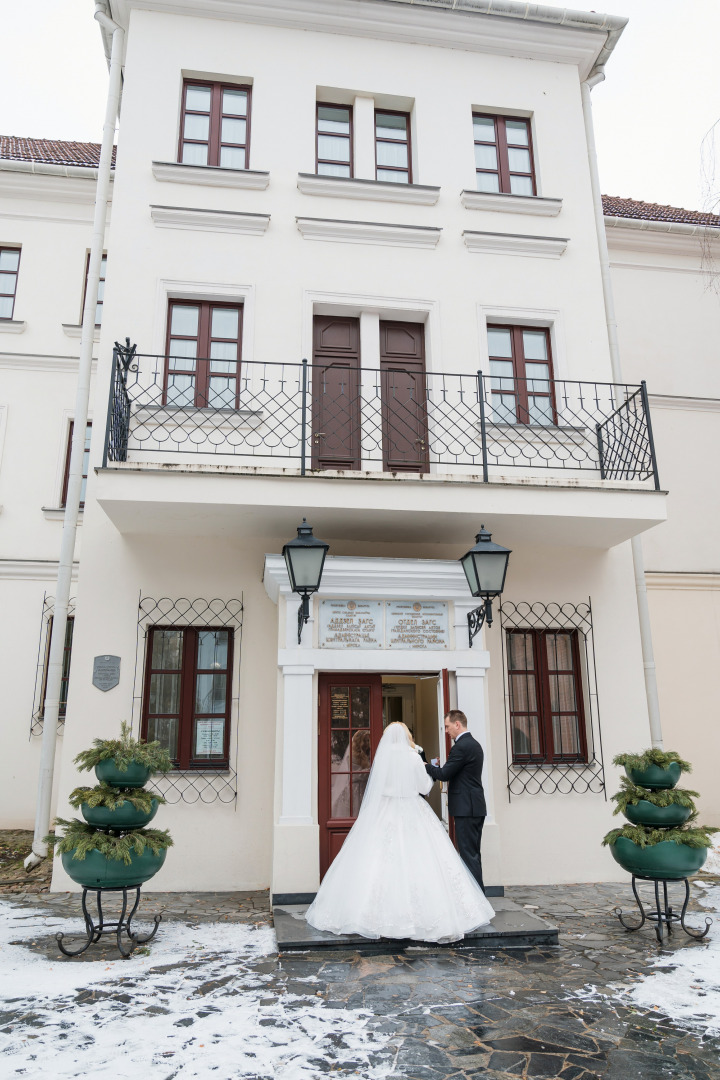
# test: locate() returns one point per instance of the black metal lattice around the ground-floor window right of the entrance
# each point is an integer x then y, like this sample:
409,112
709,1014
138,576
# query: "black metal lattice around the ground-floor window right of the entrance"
565,778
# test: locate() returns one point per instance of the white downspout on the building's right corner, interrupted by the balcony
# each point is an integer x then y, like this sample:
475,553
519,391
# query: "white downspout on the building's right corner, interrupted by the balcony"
612,321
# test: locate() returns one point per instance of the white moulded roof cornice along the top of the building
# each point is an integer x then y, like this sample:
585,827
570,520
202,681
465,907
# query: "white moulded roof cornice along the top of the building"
585,39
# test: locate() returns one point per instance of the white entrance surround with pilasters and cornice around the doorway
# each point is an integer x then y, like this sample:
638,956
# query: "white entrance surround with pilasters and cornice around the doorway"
296,868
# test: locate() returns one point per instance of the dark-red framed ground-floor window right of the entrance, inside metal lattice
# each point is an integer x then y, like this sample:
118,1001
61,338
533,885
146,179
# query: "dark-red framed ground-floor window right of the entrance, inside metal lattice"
547,709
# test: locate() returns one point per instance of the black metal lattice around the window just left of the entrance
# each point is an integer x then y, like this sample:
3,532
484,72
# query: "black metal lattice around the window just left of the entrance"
192,786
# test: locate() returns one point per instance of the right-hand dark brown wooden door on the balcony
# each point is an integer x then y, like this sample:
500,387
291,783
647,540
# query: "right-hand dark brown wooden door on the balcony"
404,409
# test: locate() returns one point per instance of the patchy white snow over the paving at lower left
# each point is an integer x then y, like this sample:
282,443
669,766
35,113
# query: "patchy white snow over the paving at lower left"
196,1008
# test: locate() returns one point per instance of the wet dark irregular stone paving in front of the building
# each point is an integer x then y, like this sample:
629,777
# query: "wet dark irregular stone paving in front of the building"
429,1014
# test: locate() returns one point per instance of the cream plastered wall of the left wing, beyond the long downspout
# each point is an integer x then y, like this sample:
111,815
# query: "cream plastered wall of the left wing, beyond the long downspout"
50,219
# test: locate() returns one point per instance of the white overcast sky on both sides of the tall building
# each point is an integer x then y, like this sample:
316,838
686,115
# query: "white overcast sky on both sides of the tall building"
661,97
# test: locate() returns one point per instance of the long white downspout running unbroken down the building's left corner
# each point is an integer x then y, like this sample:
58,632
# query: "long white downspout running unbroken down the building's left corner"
75,476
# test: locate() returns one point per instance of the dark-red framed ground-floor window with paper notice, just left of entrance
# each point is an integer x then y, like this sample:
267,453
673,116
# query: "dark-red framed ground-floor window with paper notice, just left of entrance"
188,694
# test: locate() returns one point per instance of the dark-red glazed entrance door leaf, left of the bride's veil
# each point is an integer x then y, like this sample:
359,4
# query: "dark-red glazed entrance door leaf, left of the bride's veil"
350,730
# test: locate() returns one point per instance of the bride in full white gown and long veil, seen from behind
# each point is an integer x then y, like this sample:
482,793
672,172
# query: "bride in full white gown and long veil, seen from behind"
398,874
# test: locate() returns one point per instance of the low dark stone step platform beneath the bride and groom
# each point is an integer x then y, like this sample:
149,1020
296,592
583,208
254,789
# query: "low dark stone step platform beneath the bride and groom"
513,927
